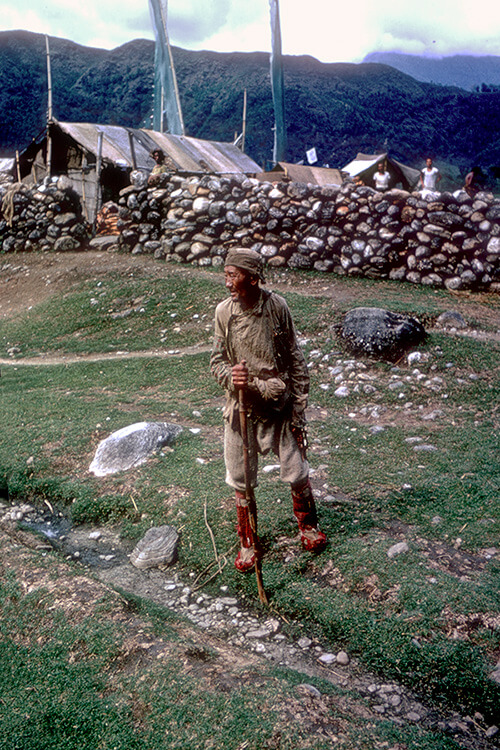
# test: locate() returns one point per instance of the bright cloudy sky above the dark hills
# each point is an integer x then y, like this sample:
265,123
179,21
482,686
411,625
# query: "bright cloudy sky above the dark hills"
330,30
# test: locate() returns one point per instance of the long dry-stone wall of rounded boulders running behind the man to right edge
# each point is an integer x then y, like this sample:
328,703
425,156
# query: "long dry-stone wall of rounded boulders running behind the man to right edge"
451,241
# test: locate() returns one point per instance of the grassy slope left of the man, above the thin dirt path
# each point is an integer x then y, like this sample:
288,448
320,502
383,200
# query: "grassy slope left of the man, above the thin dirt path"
108,316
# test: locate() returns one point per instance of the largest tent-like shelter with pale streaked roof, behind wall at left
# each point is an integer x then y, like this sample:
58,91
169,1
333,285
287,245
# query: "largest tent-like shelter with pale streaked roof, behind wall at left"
94,156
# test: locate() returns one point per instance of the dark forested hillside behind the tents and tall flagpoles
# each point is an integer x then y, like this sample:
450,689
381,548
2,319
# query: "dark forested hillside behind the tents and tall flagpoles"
339,109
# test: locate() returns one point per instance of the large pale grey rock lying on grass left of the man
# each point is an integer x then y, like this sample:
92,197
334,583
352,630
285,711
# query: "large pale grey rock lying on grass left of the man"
132,446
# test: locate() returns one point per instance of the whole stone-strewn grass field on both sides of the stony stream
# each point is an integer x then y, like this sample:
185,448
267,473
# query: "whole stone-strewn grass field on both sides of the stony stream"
426,618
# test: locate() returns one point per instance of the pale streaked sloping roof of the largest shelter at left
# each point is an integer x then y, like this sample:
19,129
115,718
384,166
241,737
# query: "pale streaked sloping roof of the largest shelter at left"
190,155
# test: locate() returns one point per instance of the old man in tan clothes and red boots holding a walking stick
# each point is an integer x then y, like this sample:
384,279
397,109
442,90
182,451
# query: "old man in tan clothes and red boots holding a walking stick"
255,349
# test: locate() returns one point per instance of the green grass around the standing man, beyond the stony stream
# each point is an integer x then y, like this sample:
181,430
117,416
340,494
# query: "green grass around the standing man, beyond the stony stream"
54,416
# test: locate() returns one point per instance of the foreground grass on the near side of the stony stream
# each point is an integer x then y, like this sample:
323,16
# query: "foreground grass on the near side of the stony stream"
64,685
